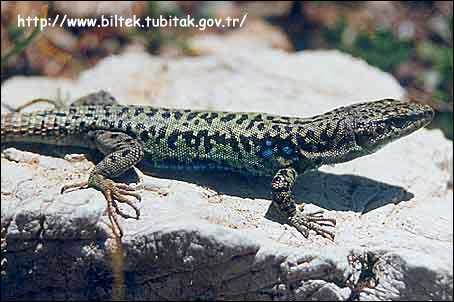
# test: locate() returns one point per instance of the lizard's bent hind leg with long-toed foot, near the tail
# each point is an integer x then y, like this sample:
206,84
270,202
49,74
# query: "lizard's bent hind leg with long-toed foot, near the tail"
122,153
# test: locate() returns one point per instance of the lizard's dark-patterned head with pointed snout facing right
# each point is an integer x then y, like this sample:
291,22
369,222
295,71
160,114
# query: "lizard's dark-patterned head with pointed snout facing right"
380,122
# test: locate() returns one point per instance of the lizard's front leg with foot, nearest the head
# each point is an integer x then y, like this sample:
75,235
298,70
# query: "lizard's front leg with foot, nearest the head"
282,190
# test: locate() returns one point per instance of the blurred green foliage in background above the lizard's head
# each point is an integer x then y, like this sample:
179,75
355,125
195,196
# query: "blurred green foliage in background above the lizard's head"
384,49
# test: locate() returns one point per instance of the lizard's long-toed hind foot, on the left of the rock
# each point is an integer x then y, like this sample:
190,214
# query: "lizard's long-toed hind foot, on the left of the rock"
114,193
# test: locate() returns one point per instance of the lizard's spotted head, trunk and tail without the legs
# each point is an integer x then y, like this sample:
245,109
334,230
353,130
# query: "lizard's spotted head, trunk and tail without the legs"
253,143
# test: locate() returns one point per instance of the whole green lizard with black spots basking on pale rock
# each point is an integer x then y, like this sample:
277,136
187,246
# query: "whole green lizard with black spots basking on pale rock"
282,147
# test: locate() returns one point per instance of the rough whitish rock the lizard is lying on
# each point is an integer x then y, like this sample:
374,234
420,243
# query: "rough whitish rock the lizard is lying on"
214,237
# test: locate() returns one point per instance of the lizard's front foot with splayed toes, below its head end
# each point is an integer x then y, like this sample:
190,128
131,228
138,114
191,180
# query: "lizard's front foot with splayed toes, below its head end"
304,222
